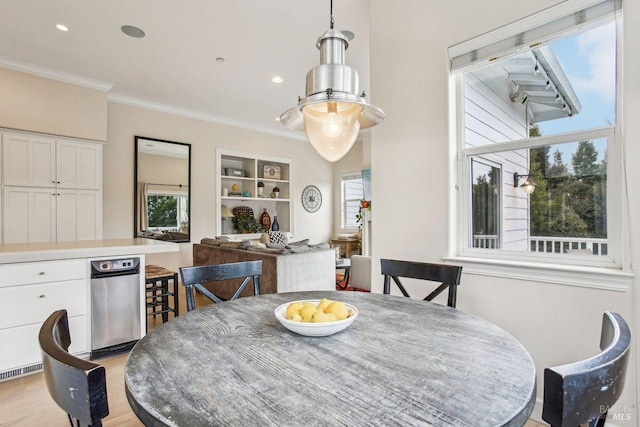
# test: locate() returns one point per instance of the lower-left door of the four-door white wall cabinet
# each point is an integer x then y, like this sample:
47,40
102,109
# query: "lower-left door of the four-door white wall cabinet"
29,215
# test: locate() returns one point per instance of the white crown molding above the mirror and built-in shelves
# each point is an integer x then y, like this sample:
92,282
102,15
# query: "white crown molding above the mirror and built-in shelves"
141,103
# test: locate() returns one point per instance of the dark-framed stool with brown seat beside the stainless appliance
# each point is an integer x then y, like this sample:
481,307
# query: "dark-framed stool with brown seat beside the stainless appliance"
158,293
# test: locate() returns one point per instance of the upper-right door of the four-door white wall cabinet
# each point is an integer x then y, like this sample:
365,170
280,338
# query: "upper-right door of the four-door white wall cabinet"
79,165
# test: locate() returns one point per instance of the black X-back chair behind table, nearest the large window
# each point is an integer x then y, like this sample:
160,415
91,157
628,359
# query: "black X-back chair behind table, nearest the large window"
447,275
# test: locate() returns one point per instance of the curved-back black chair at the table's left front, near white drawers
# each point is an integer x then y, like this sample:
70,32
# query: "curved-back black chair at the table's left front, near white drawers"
78,386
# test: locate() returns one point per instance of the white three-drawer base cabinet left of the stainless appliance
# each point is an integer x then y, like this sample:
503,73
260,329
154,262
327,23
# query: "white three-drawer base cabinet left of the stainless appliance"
29,293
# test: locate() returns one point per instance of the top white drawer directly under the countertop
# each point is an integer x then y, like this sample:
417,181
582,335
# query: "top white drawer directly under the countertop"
41,272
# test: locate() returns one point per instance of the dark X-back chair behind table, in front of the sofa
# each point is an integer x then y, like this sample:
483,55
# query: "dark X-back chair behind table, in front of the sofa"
196,277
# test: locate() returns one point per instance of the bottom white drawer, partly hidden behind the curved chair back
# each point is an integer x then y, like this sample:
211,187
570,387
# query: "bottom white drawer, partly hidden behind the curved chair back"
22,348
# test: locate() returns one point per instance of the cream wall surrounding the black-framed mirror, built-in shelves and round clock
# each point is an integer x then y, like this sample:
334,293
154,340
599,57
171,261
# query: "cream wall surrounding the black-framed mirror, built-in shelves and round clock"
124,122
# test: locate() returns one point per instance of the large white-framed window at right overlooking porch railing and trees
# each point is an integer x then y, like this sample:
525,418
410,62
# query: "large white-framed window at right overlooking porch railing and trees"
542,112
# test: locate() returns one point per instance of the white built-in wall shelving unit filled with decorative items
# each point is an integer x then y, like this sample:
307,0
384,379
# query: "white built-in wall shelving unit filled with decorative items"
246,171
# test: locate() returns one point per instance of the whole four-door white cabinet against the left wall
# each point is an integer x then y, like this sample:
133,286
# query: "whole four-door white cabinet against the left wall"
52,189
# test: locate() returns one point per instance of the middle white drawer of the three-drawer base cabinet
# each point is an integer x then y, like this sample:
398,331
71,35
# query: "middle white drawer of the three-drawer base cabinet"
22,305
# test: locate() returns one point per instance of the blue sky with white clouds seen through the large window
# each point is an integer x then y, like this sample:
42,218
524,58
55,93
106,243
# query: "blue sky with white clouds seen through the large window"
589,62
